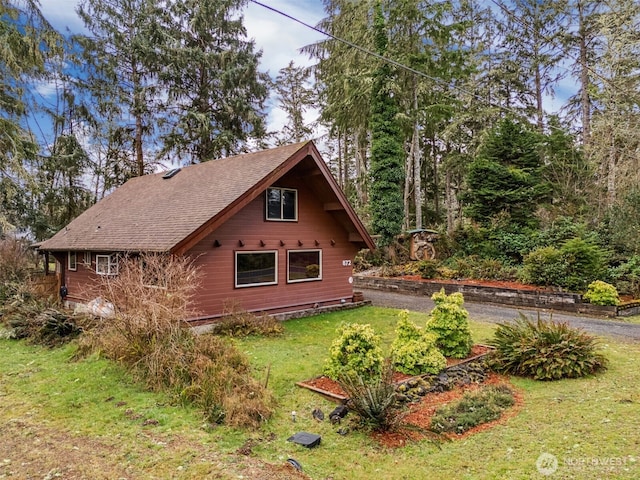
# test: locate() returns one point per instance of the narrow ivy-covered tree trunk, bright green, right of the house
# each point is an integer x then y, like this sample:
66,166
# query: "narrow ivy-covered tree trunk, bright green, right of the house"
387,155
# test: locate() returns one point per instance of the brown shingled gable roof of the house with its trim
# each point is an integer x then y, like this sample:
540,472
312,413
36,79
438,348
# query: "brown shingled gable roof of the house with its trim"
155,214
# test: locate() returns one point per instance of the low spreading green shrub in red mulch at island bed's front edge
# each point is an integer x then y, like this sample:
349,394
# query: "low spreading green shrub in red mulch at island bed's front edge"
475,408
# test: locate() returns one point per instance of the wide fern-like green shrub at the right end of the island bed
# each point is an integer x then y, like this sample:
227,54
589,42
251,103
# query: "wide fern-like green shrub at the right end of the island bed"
544,350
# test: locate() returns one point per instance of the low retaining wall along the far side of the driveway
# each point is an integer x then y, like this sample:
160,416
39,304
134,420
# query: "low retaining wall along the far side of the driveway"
563,301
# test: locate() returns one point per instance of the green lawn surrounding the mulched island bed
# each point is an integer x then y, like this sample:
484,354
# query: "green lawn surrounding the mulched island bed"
584,423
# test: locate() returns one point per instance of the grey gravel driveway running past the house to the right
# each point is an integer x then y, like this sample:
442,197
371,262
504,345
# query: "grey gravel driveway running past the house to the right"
490,313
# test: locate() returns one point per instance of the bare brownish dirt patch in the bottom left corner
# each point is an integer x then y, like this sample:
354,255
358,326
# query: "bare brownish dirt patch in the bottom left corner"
32,449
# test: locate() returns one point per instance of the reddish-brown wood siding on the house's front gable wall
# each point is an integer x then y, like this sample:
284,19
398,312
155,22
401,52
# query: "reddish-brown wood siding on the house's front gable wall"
217,264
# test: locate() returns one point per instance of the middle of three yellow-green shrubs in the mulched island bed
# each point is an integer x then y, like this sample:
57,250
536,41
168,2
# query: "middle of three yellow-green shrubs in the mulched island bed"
414,351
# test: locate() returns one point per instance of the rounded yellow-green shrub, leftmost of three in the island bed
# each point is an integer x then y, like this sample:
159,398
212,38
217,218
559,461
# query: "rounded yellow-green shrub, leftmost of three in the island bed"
355,353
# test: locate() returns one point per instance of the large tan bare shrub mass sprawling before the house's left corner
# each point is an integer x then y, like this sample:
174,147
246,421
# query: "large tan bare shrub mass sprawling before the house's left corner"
148,334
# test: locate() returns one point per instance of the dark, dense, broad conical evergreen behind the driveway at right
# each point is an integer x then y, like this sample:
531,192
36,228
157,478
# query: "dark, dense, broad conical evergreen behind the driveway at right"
506,176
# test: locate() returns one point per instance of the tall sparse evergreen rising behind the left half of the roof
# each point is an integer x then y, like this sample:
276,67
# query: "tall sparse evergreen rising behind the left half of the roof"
121,64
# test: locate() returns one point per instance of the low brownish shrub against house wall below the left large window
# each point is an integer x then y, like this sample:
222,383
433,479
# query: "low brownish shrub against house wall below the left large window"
237,322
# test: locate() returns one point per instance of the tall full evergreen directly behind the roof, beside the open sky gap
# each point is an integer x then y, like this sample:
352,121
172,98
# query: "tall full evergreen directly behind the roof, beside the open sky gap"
215,92
